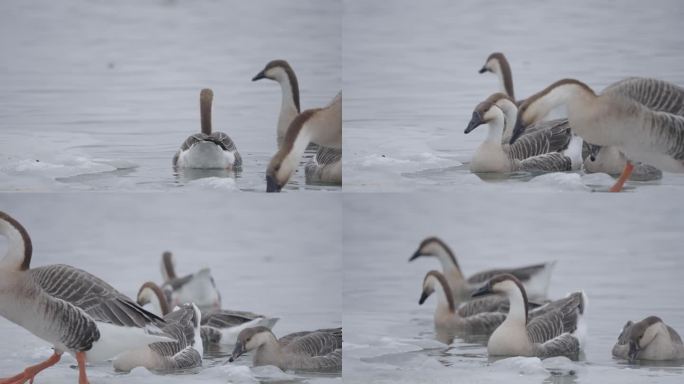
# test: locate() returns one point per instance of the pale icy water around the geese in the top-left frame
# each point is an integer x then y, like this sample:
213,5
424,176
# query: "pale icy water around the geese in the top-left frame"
98,95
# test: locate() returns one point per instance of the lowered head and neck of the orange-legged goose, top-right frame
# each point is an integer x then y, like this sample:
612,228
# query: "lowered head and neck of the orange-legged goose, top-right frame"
537,107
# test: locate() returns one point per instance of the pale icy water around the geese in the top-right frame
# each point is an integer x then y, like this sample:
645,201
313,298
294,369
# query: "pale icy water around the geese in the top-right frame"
411,82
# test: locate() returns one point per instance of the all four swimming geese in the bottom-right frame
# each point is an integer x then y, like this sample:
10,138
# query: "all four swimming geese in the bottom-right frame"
510,307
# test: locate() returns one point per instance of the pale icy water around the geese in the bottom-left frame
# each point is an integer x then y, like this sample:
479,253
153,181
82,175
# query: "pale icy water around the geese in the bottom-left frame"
276,256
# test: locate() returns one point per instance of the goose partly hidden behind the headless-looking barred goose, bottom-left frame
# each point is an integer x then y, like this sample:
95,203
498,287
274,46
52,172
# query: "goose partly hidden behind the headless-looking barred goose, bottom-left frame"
220,326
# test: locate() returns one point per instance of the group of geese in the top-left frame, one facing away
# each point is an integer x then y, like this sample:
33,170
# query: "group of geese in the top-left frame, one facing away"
295,131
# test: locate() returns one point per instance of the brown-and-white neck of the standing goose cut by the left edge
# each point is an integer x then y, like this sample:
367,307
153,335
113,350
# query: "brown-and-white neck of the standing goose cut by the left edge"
19,246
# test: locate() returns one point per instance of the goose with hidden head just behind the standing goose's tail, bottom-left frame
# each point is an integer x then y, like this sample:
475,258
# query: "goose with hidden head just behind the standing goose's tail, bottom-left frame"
168,357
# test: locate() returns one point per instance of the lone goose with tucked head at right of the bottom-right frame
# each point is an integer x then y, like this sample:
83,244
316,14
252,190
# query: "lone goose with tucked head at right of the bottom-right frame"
649,339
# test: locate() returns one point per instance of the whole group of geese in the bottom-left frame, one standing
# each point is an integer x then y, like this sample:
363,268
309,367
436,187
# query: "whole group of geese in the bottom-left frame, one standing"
166,329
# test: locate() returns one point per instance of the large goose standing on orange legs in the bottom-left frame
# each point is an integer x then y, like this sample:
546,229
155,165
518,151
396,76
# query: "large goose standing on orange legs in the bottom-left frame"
69,308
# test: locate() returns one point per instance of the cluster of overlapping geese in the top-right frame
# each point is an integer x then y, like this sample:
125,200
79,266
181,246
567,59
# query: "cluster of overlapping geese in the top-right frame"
634,128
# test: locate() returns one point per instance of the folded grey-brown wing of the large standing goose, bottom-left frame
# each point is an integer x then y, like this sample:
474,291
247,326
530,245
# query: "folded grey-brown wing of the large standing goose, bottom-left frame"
94,296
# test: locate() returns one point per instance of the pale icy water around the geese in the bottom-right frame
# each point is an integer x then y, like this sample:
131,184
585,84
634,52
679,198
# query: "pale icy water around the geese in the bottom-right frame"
624,252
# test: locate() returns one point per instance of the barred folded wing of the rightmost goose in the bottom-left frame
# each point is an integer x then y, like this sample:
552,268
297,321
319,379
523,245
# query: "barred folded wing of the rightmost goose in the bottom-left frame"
315,343
